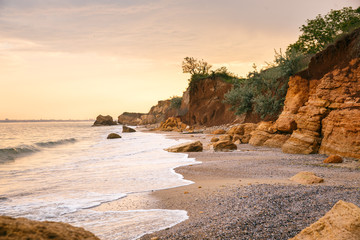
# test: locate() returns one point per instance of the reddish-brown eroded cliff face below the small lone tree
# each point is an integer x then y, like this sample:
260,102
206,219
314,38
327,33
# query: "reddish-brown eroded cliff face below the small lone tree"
205,104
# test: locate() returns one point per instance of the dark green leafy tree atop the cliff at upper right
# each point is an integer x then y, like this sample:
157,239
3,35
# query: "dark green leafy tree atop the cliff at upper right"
321,31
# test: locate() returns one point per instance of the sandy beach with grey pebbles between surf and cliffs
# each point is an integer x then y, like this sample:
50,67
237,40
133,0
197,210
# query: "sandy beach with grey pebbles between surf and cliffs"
247,194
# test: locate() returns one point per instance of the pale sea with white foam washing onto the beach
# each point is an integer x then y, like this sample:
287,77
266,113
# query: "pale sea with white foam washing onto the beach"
60,171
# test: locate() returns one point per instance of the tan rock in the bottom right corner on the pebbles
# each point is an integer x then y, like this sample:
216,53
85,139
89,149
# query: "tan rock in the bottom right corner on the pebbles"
342,222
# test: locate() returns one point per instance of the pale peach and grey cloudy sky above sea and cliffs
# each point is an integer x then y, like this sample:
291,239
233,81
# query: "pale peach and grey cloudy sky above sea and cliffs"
76,59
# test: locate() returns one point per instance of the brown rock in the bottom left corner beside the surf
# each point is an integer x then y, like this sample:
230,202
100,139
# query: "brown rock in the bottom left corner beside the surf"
22,228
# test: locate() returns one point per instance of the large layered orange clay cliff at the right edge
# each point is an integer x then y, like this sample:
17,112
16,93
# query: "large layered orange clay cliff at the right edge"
322,106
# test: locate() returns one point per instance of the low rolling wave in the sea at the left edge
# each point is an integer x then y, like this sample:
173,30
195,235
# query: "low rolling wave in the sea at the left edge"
11,153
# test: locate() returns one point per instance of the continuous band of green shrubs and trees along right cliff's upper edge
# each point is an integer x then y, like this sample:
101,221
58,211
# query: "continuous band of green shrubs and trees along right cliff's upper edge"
264,91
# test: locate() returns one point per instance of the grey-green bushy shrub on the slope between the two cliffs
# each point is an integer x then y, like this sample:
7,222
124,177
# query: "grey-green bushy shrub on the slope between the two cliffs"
264,91
